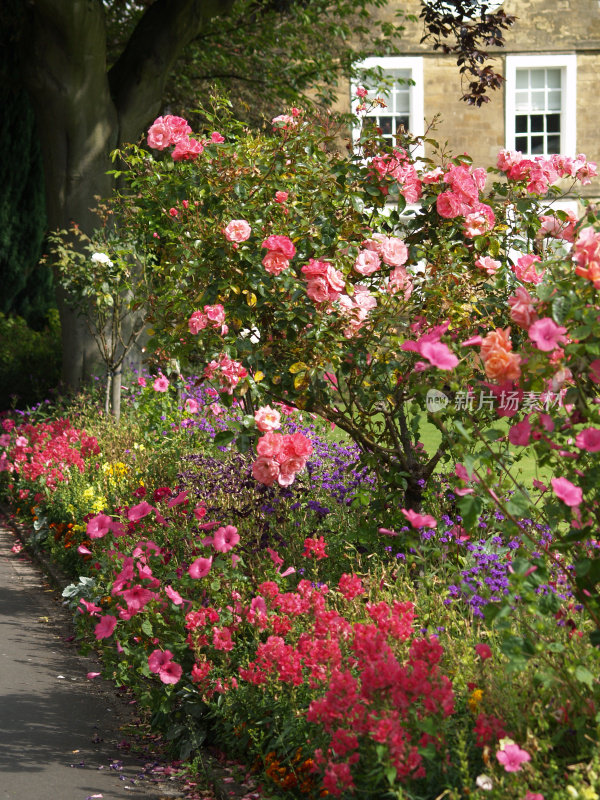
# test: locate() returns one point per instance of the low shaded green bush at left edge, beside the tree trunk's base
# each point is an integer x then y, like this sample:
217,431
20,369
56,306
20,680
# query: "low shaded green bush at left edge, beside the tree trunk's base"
29,361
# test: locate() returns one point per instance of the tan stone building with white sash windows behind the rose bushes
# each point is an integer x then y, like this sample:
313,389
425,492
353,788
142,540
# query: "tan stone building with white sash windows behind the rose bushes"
549,102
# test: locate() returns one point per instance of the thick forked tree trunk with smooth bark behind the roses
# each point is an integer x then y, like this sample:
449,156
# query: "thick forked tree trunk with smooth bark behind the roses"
84,112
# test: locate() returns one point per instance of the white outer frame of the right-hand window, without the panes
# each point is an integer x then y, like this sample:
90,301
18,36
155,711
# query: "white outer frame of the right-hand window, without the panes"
567,63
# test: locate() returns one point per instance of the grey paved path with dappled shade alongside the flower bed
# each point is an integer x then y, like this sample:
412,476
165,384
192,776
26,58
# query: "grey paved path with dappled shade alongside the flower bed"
59,731
